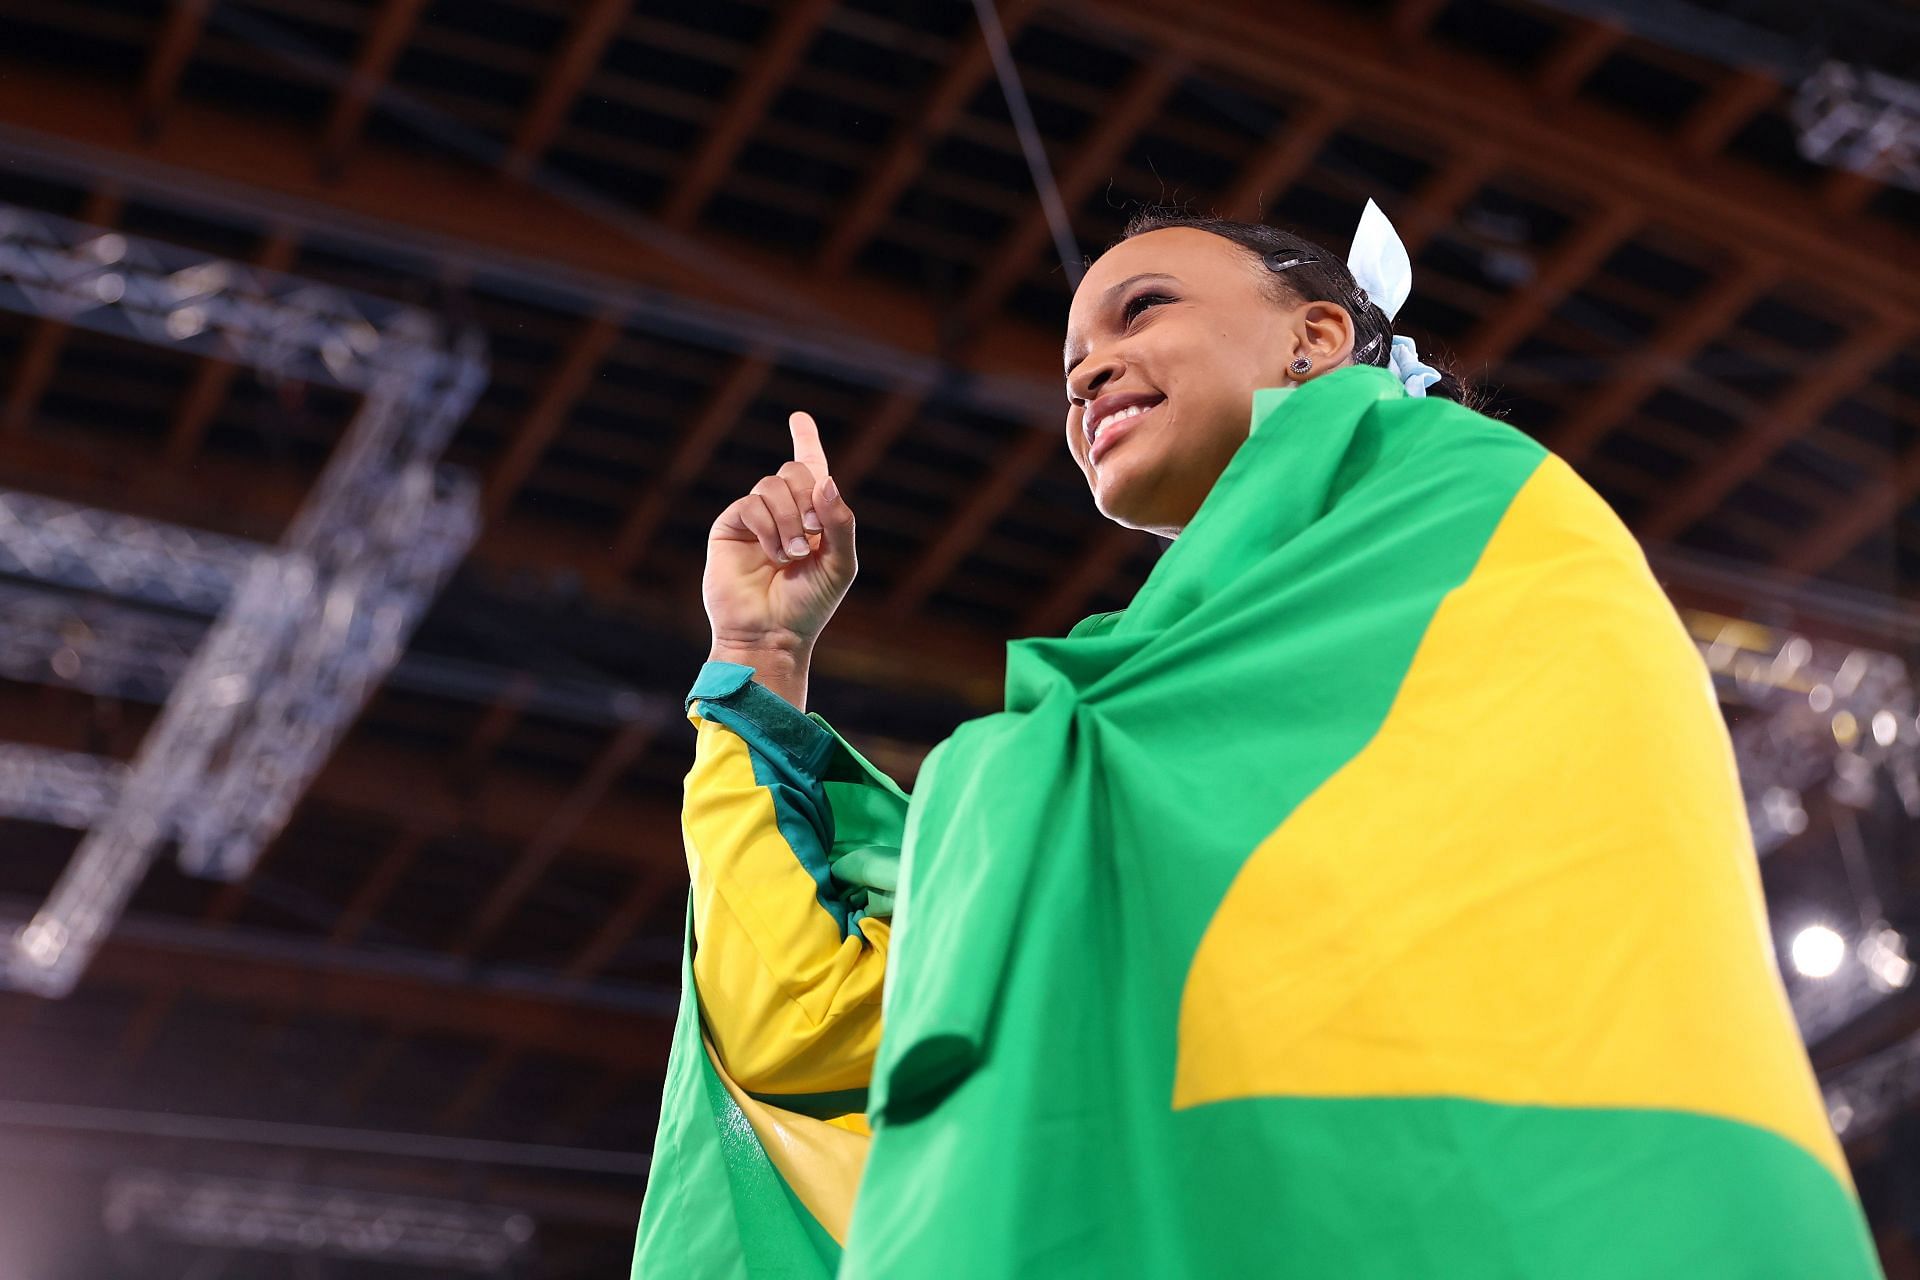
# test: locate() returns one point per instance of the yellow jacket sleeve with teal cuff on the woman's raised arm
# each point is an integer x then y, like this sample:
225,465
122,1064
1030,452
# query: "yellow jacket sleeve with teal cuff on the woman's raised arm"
794,853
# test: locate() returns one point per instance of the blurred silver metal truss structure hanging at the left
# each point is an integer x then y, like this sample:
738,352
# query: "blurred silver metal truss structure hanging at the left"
304,632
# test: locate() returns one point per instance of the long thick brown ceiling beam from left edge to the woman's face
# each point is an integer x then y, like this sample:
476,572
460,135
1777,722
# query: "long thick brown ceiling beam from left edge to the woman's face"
464,218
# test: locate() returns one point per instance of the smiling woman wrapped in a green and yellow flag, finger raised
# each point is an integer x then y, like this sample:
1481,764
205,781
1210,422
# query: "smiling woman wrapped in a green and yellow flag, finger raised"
1370,899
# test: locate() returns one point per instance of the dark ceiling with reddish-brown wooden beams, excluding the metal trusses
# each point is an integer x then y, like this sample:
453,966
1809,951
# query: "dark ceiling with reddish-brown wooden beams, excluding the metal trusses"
679,222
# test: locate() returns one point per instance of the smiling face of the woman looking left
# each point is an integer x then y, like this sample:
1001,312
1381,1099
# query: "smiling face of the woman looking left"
1170,337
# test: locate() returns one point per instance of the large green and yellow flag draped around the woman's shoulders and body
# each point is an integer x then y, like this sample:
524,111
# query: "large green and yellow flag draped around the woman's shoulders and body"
1370,899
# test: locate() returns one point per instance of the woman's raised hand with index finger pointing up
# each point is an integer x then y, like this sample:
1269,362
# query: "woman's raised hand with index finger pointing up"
780,559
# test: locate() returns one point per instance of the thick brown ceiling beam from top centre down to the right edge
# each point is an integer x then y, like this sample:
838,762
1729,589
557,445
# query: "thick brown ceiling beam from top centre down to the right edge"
1312,47
